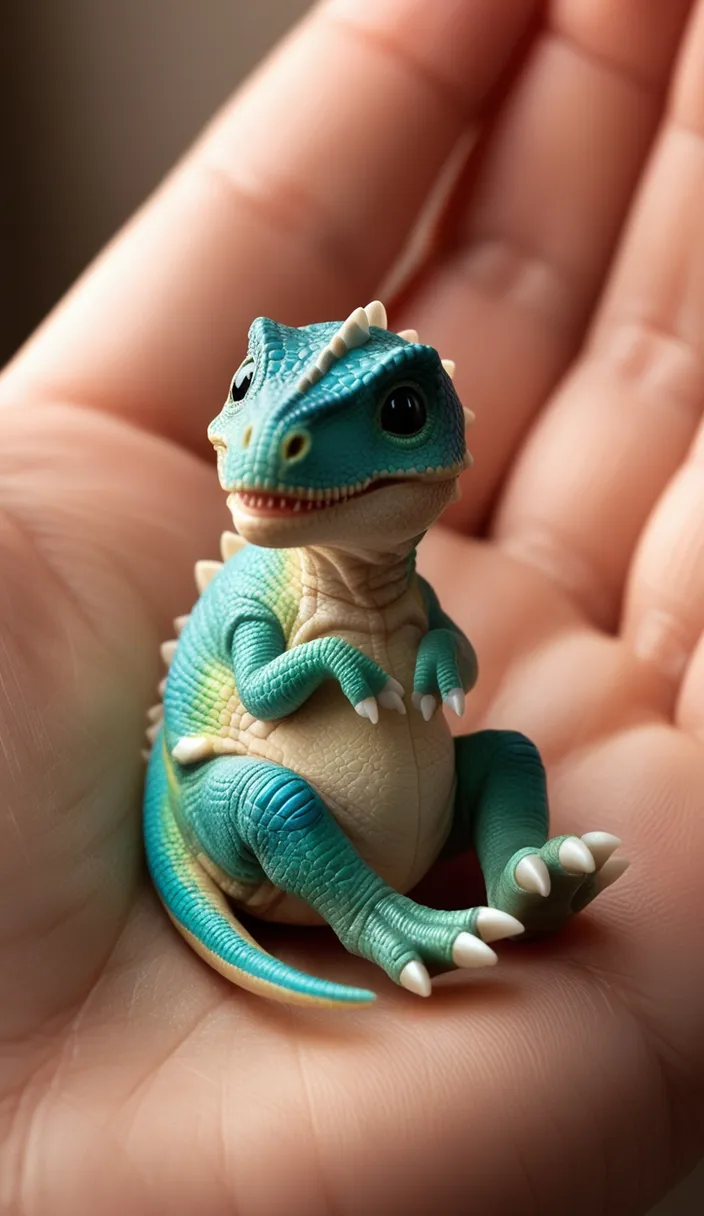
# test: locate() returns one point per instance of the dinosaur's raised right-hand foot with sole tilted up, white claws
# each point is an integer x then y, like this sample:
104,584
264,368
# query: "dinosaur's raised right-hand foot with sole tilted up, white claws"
545,887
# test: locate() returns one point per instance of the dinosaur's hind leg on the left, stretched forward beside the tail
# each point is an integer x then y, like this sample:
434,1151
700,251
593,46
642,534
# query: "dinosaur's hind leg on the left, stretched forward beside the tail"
271,815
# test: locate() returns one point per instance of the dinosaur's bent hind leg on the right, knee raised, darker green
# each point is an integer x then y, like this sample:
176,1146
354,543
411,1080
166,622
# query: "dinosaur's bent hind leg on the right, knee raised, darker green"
502,812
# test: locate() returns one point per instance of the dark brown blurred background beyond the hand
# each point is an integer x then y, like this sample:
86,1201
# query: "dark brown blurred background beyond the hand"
98,98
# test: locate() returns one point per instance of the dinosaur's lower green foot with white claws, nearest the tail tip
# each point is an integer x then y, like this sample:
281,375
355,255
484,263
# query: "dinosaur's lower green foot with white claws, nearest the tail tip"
407,939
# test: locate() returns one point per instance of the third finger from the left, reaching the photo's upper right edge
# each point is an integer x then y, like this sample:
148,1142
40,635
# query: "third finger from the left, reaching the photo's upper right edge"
609,444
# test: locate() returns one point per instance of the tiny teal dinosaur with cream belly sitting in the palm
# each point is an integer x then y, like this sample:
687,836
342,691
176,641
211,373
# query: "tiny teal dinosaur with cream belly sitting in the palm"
302,767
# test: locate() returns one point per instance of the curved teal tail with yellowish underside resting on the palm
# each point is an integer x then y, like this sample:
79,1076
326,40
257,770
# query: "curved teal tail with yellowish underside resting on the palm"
204,916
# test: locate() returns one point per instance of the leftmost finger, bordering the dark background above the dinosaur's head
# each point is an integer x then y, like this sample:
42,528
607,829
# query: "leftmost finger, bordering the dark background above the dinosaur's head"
294,205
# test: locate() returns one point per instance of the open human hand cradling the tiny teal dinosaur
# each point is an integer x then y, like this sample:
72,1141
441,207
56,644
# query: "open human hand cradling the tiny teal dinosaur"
567,280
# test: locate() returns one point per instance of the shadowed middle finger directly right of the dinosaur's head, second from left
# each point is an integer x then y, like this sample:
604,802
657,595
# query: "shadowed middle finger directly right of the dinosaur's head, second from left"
532,233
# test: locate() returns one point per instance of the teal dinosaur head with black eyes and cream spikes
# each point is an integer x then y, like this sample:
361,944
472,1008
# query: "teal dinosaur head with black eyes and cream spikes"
339,435
